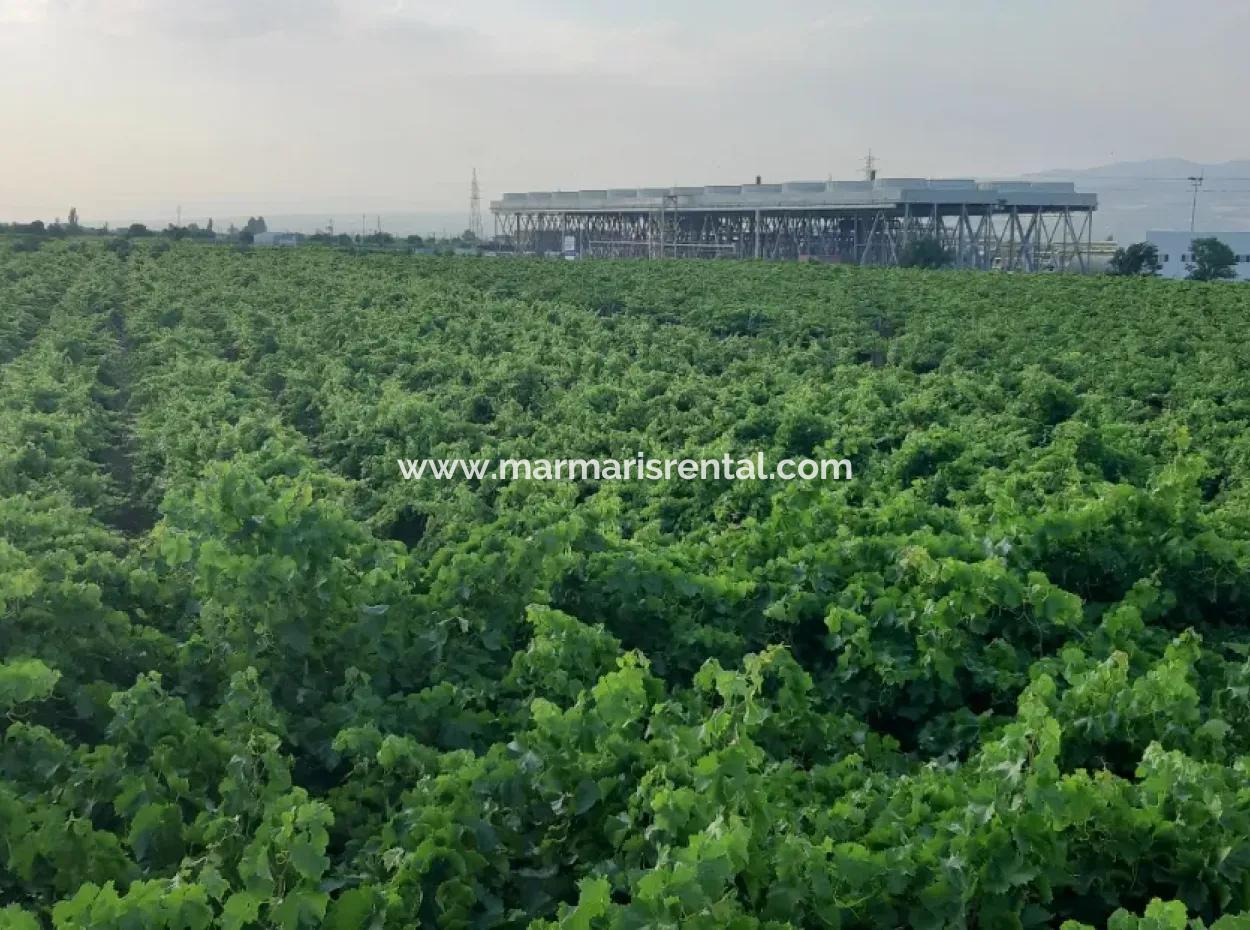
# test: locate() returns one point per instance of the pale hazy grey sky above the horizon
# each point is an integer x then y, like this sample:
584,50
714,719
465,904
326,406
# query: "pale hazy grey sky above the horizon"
387,104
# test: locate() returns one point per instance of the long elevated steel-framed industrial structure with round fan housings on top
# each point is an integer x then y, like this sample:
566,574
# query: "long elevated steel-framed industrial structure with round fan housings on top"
1009,226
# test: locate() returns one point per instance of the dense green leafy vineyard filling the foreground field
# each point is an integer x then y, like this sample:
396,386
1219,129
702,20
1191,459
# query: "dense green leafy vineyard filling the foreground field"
253,679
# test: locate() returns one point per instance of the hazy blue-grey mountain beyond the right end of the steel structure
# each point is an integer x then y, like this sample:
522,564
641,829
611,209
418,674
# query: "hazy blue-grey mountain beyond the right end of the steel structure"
1136,197
